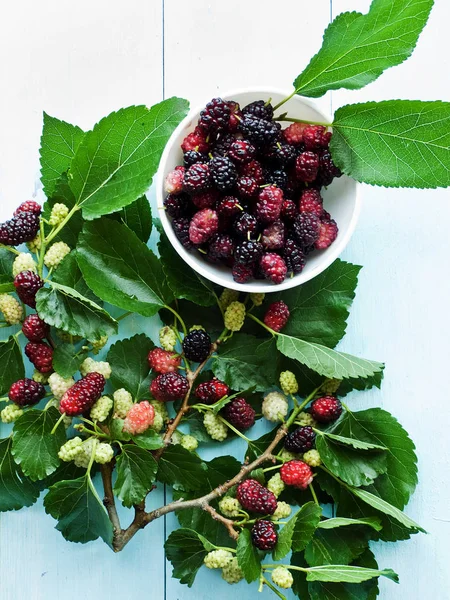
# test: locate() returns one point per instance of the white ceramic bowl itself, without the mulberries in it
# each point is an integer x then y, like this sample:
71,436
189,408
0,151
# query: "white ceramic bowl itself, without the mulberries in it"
341,199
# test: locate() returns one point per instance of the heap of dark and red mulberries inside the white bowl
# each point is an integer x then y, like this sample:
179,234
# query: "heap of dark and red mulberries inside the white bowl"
247,195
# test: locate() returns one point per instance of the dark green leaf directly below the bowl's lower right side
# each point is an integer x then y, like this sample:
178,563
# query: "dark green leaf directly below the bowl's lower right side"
320,307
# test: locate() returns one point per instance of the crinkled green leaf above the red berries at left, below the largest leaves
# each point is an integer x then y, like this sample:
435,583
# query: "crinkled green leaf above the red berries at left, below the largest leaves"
66,309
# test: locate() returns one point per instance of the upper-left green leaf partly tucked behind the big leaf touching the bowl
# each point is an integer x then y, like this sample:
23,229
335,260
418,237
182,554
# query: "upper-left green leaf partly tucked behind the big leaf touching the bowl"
59,142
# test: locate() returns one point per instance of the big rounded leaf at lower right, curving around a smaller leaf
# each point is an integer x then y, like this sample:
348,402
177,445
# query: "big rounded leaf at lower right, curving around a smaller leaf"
376,425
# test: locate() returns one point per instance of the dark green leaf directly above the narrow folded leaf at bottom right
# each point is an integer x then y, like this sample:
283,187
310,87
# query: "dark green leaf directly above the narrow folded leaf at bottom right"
336,546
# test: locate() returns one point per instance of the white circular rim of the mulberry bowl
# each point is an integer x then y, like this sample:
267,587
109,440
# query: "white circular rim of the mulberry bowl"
253,287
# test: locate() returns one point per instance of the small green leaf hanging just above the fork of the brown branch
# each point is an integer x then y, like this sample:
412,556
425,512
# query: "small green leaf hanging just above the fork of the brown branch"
136,471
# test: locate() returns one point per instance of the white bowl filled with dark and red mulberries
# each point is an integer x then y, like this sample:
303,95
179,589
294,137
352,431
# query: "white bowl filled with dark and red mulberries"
252,200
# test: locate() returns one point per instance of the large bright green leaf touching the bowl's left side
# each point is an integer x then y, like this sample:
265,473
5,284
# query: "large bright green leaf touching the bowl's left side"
115,163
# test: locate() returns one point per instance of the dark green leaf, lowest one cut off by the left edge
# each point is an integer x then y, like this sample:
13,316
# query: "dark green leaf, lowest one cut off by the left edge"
16,490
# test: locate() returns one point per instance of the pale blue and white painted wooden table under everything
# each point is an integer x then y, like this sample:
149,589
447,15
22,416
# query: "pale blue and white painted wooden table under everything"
79,62
